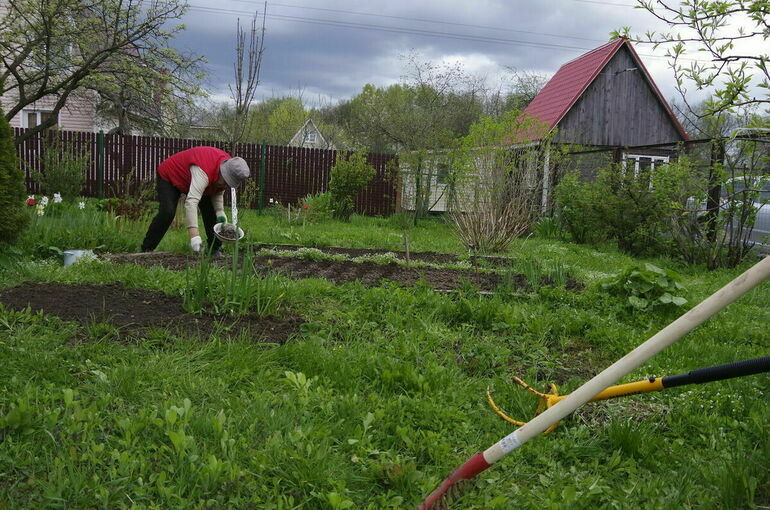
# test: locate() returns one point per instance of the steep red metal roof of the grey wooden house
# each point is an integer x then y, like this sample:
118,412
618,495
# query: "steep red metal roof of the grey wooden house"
573,78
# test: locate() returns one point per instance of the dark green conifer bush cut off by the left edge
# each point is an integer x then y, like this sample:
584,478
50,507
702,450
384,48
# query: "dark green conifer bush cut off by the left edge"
12,192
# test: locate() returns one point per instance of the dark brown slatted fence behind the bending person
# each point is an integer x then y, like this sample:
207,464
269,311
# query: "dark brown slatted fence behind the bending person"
288,173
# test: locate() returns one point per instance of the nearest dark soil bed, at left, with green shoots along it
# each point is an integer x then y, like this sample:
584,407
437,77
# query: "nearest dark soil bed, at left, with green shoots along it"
135,311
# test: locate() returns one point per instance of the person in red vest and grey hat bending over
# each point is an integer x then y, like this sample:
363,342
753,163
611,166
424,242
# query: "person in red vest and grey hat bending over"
203,173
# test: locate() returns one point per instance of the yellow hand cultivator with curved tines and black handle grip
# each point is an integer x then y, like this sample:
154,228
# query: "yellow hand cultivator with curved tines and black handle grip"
700,376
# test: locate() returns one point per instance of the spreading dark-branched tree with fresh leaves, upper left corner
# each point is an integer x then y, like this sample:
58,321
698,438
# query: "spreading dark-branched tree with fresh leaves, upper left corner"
54,48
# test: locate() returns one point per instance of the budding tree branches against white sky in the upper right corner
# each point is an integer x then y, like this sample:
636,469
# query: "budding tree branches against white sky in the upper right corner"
737,76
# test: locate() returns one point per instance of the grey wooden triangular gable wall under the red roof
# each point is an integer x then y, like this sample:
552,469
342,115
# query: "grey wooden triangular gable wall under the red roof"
619,108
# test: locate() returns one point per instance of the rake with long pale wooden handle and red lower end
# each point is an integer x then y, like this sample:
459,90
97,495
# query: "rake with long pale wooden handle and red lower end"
442,496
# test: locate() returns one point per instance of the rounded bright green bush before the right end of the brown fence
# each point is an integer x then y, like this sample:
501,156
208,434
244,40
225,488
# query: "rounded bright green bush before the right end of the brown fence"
349,176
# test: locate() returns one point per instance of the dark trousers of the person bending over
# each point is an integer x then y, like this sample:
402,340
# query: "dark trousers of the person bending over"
168,197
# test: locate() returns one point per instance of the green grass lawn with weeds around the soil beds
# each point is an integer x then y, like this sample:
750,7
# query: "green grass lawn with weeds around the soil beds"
379,394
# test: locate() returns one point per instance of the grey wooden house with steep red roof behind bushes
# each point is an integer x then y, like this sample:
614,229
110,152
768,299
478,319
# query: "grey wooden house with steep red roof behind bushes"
605,100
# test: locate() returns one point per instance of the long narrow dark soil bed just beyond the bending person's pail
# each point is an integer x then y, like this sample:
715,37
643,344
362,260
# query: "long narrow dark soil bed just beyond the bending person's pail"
369,273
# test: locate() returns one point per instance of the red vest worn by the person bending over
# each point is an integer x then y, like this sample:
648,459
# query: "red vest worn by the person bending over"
176,168
